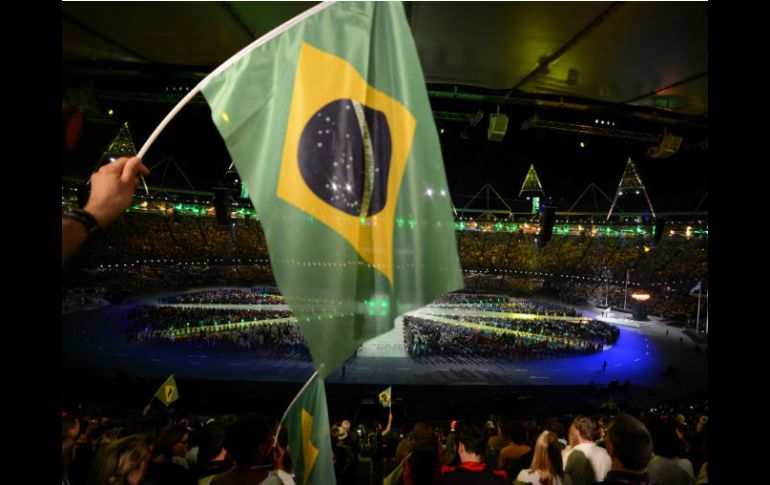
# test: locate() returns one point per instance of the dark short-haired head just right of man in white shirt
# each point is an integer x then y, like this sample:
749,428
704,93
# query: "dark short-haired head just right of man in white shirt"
629,444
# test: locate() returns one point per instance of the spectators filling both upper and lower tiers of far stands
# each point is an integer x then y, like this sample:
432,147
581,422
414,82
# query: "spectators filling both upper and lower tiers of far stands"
145,252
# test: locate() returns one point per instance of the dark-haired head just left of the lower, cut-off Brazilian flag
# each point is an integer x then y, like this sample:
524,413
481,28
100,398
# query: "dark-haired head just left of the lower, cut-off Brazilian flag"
249,440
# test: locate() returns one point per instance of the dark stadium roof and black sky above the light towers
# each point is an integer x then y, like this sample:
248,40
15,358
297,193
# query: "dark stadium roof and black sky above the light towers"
642,66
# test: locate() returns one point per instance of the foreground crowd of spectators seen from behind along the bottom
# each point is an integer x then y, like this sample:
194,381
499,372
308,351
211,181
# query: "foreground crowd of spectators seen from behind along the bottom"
662,444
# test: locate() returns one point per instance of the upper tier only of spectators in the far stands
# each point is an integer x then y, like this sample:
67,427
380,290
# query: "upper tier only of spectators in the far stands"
180,237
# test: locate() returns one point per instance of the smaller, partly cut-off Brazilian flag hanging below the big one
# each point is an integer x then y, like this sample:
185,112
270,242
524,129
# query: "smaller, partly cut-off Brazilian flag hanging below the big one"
309,440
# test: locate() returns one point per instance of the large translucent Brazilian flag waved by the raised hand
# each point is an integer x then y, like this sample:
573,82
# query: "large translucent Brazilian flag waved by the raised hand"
330,128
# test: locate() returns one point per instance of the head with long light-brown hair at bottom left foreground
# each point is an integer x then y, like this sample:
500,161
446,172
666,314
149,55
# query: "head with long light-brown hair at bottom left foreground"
122,462
